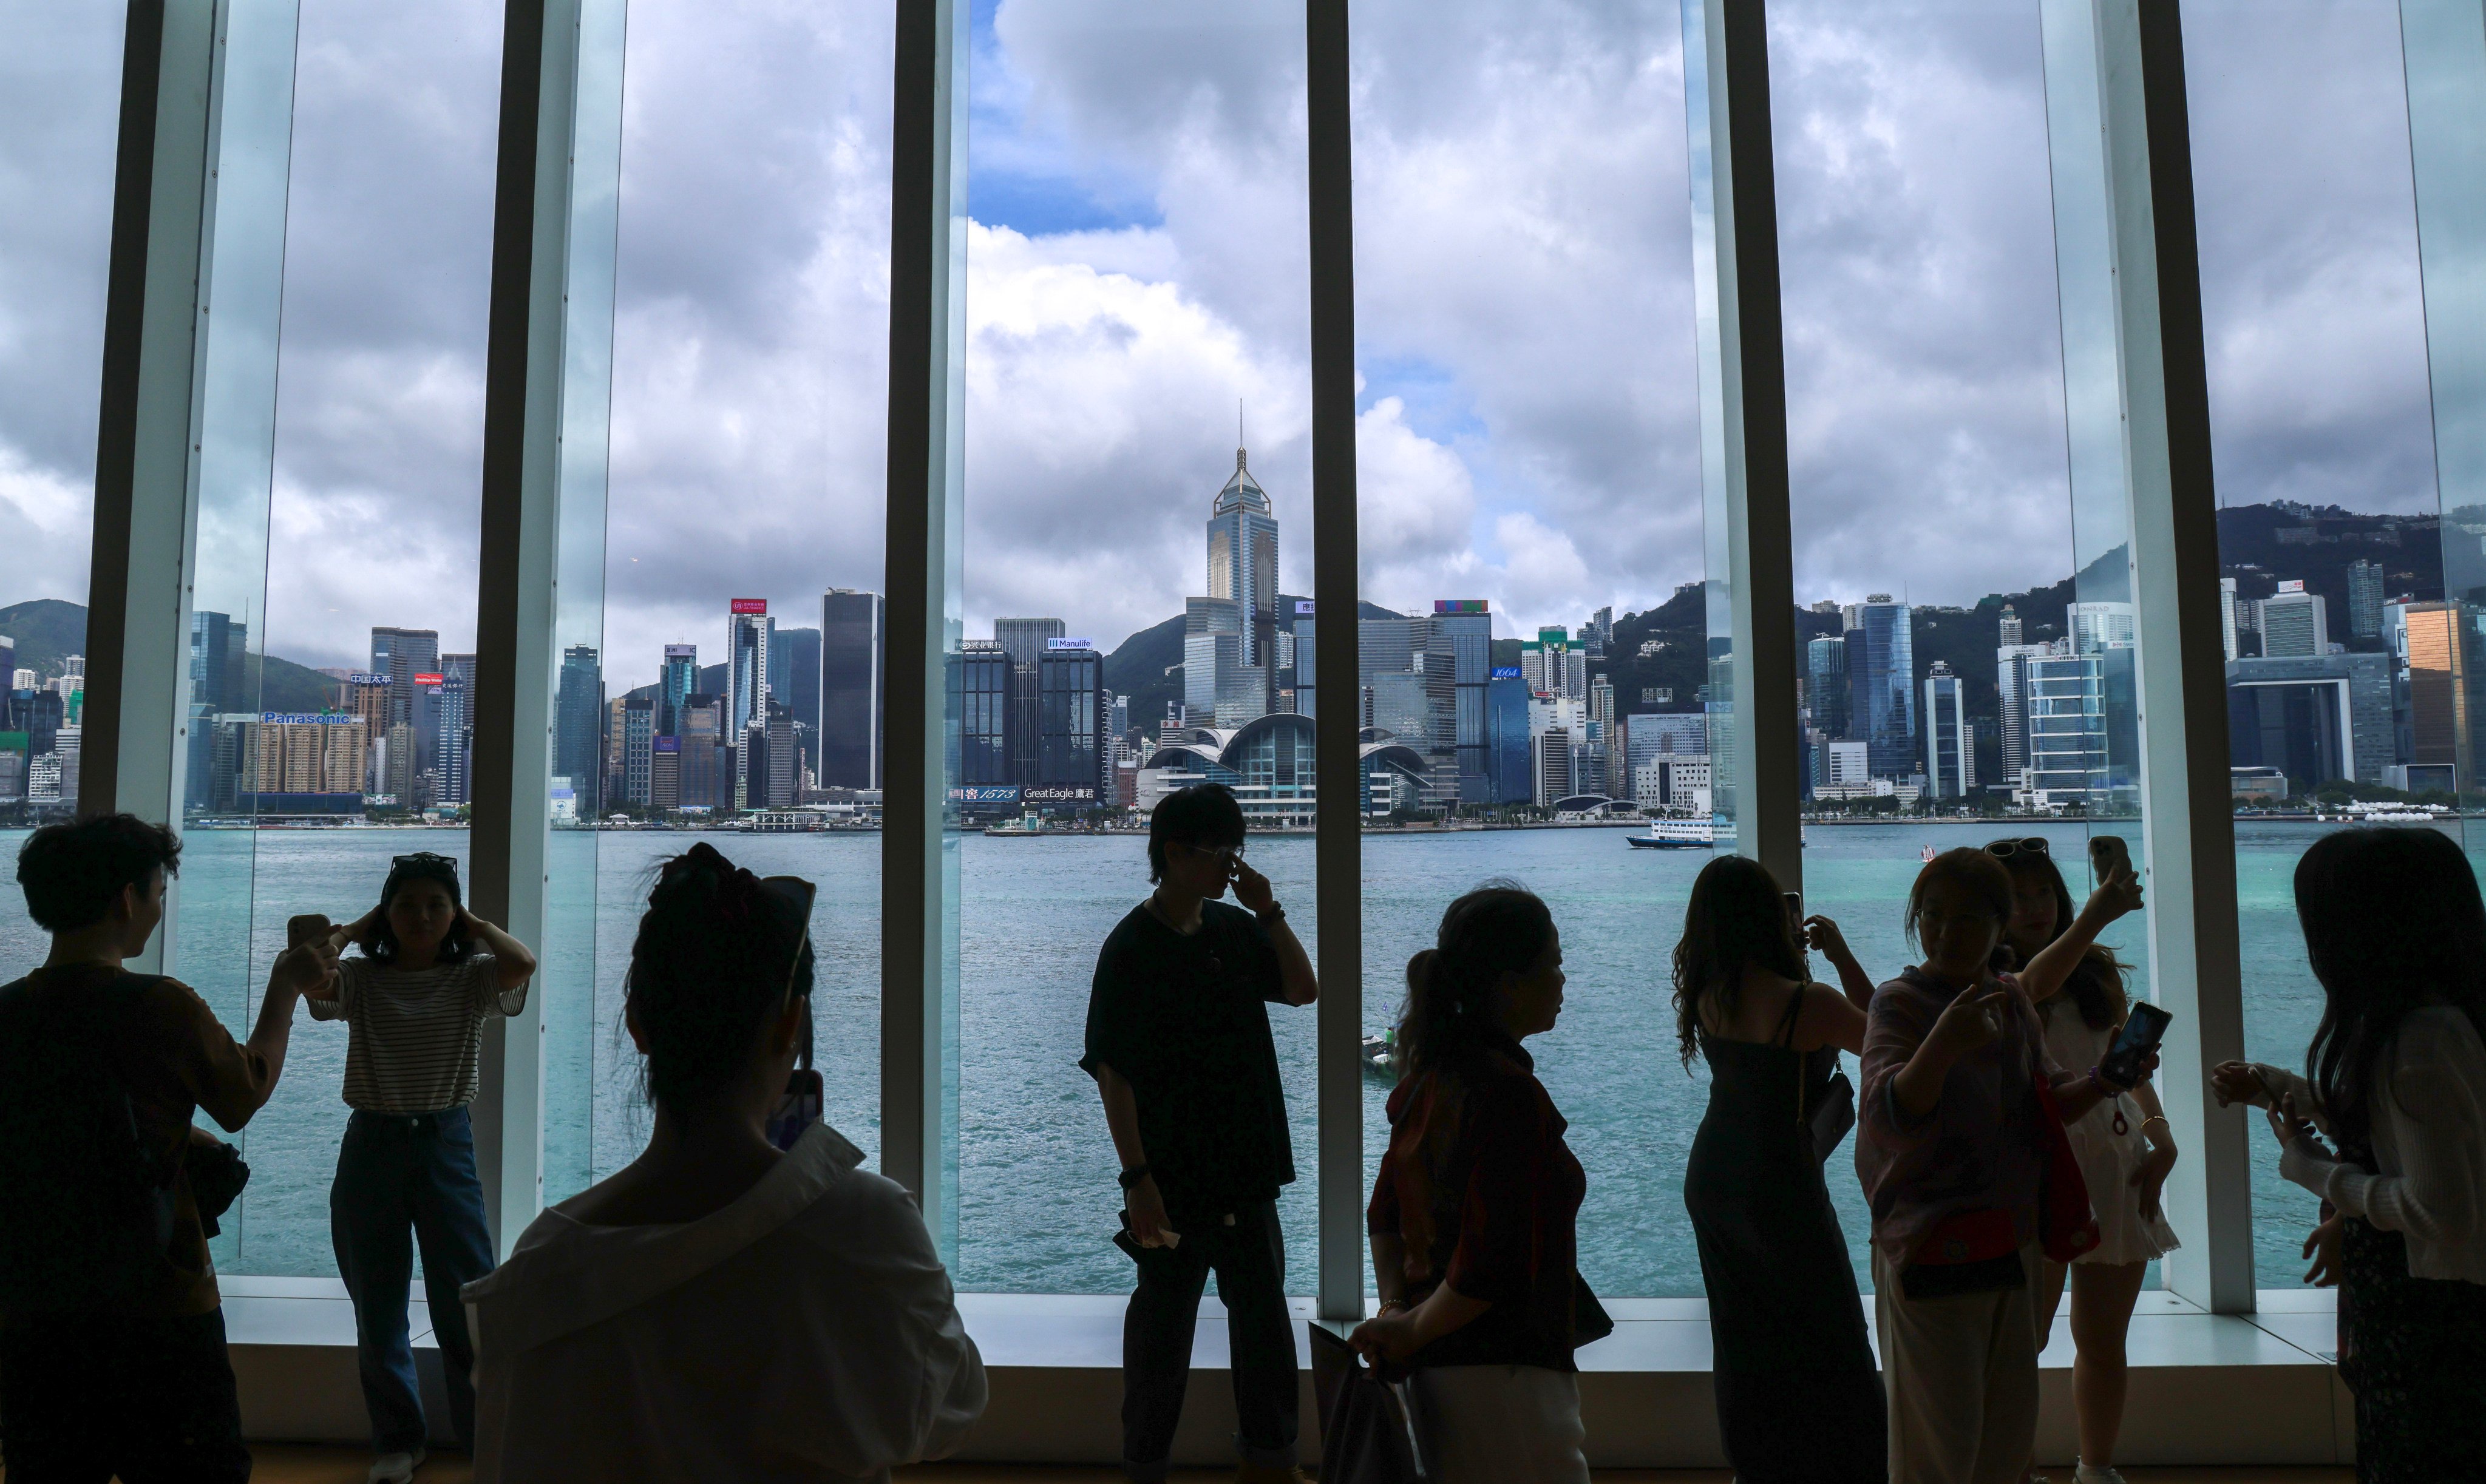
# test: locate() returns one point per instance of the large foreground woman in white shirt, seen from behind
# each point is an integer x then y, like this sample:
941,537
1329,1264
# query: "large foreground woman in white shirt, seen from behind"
722,1309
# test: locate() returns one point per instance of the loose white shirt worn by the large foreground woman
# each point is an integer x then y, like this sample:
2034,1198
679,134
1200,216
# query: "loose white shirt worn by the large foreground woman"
807,1331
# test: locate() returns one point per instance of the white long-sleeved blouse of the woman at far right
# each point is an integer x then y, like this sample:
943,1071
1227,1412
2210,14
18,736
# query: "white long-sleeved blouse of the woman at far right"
2430,1145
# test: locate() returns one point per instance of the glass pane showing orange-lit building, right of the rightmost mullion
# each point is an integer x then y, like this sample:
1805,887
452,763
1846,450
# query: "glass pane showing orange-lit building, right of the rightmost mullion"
2348,655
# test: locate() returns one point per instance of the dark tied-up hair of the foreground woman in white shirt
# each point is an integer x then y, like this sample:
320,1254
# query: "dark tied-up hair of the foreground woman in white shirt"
715,958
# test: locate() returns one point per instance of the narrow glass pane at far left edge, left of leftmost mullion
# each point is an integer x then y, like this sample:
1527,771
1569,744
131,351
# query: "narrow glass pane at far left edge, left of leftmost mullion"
61,86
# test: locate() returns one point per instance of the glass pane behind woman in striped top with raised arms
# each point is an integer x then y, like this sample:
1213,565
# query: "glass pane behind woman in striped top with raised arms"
369,558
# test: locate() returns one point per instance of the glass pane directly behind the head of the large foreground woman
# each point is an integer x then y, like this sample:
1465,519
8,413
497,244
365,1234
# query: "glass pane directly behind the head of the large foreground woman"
735,695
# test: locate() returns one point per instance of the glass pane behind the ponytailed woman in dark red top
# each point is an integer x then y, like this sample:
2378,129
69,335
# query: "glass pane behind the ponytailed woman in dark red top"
1530,476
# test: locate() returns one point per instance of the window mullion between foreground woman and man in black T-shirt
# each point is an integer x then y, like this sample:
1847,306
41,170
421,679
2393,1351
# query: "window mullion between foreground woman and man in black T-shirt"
926,451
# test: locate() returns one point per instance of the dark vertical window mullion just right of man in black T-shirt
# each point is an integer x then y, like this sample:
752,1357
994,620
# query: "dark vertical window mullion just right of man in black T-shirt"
1336,742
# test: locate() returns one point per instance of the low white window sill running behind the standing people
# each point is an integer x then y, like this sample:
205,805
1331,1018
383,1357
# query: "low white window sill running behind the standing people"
2209,1388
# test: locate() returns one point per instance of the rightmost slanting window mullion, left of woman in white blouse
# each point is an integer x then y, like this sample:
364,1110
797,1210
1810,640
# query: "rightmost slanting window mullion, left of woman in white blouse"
2124,175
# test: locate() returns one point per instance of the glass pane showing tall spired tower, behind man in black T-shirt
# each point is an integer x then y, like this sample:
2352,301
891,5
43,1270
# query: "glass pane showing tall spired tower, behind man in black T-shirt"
1137,548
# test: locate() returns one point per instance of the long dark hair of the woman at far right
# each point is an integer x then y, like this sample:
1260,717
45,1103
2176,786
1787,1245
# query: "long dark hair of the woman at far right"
2393,921
